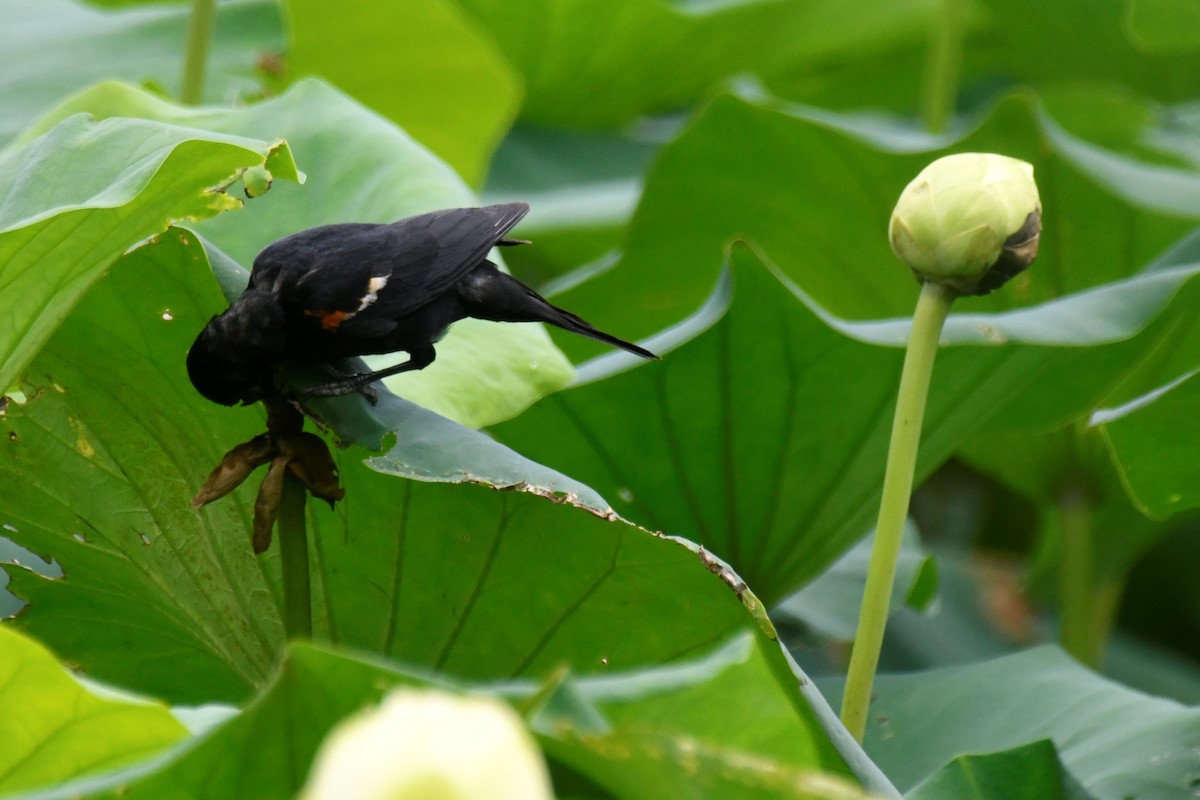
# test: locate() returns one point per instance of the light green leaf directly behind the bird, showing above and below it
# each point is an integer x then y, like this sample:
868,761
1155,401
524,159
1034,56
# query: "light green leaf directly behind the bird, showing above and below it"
362,169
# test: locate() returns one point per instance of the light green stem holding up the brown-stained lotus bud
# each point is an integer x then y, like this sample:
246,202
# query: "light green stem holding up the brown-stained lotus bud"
933,308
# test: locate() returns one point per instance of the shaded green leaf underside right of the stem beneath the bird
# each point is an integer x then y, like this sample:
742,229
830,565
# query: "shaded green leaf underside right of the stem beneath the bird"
530,585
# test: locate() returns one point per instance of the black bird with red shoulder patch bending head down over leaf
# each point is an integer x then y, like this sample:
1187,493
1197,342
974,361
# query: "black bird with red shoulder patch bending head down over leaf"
355,290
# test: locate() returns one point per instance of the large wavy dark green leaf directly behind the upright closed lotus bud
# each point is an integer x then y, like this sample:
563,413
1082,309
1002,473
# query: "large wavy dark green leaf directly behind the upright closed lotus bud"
819,207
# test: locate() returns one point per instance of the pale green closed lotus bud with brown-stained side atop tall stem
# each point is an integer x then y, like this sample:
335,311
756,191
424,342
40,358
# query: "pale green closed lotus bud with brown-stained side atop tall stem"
970,222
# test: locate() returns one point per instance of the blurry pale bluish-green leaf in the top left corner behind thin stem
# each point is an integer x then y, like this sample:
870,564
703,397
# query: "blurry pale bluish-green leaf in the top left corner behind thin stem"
57,47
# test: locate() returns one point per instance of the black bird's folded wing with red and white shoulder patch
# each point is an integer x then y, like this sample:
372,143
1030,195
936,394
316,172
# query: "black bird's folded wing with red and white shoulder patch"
361,278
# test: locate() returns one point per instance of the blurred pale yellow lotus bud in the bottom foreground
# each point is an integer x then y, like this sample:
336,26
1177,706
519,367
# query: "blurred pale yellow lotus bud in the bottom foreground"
430,745
